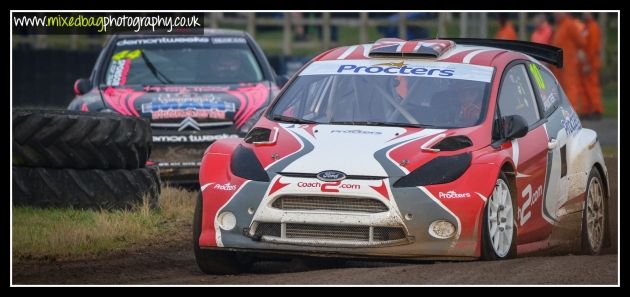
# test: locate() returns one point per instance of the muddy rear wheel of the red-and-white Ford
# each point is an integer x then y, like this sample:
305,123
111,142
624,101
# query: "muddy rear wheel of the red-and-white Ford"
594,215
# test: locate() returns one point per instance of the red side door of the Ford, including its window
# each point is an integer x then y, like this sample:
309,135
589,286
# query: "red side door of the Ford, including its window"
529,153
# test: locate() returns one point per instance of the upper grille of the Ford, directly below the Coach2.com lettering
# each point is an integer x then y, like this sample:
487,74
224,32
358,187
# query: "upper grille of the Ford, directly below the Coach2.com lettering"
329,203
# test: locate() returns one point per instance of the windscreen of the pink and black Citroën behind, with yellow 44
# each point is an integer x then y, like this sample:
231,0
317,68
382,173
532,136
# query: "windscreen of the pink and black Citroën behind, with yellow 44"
182,60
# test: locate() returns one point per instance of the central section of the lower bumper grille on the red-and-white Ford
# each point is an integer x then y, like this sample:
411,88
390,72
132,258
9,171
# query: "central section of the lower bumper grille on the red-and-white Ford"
357,233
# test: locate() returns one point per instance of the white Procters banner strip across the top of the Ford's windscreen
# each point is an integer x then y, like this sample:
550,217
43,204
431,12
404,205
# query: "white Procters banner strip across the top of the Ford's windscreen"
379,67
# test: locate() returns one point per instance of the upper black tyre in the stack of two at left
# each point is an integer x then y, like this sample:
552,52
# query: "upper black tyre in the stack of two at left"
79,140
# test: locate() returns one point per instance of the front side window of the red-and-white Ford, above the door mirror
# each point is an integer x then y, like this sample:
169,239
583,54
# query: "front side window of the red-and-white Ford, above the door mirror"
517,97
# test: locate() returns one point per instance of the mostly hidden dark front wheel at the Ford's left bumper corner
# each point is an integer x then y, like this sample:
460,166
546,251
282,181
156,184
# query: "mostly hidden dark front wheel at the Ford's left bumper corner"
213,261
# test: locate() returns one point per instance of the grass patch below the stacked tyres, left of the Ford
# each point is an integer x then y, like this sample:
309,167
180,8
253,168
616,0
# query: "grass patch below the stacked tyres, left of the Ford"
58,234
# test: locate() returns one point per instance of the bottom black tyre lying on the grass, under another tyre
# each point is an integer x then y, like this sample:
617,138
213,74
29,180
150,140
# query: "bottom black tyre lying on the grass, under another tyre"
84,189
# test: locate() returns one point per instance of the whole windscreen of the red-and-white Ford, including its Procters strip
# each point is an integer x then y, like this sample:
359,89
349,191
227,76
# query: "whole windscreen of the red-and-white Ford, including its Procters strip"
429,94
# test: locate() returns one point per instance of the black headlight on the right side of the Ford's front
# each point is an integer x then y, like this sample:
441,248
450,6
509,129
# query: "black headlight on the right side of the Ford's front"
441,170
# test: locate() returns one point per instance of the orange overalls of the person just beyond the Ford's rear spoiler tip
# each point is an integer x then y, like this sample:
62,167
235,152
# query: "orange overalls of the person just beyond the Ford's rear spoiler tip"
569,38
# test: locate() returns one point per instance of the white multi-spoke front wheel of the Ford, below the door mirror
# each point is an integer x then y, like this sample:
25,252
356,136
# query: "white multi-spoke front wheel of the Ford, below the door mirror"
499,223
